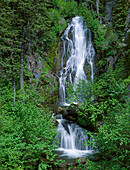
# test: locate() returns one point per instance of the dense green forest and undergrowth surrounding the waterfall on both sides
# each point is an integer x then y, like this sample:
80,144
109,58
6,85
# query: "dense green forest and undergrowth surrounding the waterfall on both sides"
30,32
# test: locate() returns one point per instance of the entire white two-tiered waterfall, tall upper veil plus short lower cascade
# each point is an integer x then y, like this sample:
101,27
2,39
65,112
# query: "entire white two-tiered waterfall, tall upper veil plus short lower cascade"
77,50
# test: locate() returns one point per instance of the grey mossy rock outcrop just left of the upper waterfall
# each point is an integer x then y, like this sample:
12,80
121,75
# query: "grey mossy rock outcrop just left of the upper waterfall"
40,74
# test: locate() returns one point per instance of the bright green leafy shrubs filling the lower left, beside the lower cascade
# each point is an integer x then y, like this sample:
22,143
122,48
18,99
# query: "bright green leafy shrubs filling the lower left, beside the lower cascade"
26,131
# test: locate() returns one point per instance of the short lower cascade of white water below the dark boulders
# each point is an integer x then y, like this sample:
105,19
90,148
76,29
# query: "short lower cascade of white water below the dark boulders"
73,140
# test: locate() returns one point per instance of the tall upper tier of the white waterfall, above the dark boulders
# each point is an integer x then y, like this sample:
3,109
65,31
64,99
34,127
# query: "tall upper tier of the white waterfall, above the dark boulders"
77,50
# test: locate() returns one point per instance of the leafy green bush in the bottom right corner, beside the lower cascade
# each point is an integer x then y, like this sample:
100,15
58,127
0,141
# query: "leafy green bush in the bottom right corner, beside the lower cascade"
113,139
